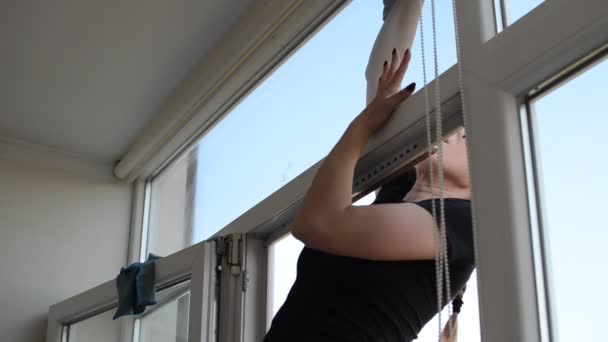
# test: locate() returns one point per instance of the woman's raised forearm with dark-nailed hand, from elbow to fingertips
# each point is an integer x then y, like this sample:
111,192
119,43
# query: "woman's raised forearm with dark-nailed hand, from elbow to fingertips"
330,194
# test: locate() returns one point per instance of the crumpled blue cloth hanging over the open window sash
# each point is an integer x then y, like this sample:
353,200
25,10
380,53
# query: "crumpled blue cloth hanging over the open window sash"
135,286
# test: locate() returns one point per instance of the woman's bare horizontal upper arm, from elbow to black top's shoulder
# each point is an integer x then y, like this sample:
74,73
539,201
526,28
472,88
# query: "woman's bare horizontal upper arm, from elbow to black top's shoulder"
400,231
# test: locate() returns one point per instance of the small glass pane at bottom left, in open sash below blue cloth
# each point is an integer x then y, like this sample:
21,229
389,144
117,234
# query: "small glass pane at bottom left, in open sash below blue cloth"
99,328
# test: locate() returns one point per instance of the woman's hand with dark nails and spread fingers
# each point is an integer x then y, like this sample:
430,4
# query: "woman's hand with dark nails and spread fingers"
389,95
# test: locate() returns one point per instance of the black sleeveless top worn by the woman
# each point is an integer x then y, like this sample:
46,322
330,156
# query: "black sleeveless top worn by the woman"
337,298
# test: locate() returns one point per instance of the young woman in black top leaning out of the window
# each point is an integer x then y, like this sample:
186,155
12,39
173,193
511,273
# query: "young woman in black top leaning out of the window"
367,273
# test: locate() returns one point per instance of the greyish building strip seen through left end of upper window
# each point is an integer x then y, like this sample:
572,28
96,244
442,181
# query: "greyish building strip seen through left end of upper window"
170,227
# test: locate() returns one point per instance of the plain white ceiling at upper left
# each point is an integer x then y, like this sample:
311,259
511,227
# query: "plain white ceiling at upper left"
84,76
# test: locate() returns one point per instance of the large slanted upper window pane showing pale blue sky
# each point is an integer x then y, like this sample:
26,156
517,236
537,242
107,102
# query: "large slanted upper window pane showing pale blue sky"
293,118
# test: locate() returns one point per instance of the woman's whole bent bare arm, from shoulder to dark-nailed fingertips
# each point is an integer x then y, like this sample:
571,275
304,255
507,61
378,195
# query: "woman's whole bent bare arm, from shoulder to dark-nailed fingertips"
329,222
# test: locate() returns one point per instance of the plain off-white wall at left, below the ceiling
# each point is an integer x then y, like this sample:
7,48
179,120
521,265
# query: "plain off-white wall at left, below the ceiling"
63,229
